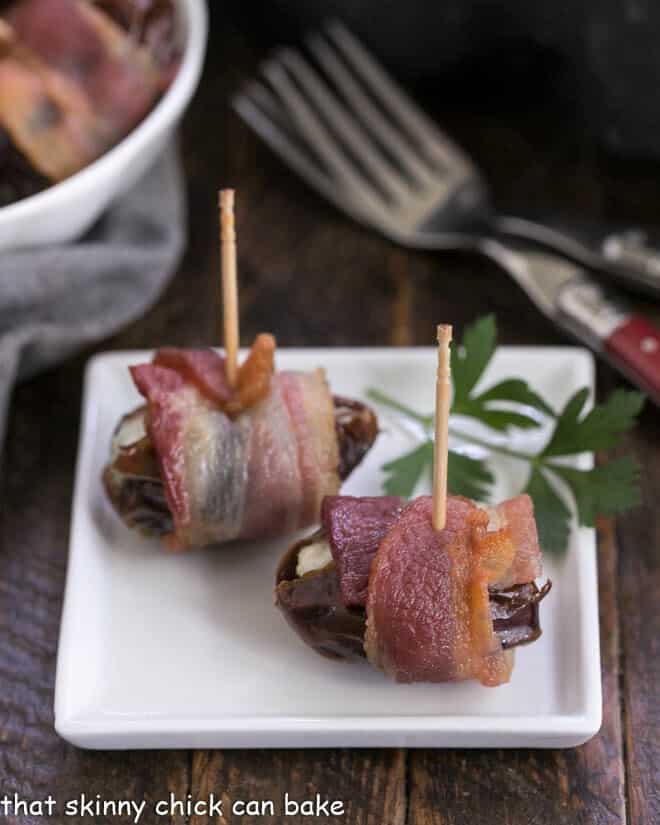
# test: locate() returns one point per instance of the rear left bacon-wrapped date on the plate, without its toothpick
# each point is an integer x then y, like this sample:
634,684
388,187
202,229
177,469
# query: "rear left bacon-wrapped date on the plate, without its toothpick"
203,462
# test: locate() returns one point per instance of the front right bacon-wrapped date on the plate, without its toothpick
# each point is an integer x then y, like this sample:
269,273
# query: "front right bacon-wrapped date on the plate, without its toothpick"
423,605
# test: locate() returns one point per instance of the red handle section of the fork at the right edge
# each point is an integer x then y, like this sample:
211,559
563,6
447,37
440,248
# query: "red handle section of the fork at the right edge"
634,347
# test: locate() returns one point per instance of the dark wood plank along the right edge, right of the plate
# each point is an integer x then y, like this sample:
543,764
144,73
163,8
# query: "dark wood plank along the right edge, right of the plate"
639,571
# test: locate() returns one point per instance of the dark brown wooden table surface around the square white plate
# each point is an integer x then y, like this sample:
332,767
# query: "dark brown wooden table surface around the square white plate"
315,278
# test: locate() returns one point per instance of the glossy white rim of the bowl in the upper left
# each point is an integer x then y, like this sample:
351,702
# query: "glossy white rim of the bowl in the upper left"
163,115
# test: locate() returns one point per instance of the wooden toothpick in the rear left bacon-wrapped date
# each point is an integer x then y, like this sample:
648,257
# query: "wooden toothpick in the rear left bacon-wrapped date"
229,283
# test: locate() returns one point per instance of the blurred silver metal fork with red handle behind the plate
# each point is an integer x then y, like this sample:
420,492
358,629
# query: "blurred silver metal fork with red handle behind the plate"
358,139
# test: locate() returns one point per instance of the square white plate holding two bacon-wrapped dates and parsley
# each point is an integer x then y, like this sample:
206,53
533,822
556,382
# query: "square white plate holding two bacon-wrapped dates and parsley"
167,651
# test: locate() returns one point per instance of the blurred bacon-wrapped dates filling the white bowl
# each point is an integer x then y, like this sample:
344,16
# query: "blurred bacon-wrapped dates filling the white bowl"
76,76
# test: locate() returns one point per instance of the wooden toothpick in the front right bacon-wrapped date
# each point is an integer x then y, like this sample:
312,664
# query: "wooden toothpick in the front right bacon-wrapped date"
442,393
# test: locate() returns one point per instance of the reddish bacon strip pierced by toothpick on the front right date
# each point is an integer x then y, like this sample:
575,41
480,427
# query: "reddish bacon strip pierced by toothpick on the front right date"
428,616
